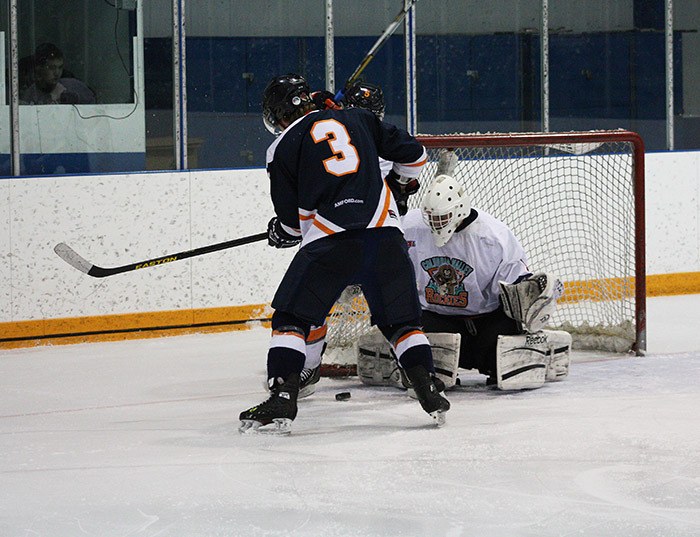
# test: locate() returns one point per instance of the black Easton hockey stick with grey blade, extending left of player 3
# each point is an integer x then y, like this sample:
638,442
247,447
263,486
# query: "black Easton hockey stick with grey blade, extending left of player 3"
74,259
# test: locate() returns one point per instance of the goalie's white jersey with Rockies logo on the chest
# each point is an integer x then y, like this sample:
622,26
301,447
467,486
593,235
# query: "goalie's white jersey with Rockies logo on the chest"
462,277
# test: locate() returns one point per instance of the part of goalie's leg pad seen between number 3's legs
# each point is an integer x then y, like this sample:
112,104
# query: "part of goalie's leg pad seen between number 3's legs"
376,364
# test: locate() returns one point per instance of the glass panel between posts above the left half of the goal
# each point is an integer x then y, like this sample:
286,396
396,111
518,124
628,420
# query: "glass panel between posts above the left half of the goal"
478,66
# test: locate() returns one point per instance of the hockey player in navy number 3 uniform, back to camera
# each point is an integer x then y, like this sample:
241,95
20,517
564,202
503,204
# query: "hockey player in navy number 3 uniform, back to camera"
334,203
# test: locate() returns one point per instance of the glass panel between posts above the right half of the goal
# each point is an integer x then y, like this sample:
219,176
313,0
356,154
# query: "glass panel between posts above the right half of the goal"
607,68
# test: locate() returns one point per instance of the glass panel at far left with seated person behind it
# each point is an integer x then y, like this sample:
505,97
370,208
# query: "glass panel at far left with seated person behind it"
81,90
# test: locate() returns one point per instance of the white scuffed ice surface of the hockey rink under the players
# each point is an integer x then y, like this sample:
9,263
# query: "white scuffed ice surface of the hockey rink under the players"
139,438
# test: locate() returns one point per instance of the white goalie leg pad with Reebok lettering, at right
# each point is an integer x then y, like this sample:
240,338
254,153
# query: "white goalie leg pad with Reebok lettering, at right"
526,361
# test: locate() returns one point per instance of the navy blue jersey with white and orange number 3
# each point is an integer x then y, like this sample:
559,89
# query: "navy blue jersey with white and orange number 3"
325,176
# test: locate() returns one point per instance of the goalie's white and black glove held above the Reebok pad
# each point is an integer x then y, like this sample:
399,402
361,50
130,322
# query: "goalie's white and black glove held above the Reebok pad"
532,301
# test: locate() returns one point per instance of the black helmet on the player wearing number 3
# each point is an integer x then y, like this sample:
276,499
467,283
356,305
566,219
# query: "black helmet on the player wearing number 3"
283,98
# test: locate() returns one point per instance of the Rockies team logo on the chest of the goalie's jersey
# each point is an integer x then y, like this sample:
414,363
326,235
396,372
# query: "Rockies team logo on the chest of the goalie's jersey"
446,286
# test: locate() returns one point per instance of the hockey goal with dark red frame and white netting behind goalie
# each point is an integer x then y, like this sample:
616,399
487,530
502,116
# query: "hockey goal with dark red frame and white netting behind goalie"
576,202
